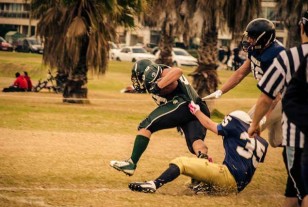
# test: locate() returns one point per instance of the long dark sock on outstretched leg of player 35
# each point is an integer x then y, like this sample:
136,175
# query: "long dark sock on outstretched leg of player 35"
169,175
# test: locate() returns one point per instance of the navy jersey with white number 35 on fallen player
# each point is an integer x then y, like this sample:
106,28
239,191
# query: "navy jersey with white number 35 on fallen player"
242,153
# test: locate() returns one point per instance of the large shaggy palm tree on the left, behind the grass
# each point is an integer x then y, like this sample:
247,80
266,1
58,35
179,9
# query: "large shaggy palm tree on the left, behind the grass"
76,35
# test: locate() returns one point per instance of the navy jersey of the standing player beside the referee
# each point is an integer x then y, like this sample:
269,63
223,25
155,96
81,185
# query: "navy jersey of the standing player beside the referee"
260,61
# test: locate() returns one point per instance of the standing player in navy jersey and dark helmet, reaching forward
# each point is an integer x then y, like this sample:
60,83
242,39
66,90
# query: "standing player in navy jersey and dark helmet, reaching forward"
262,47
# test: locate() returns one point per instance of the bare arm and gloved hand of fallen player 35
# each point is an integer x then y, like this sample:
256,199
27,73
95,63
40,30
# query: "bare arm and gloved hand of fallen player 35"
204,120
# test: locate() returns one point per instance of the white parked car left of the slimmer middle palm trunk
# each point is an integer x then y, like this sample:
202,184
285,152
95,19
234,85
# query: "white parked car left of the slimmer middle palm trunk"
133,53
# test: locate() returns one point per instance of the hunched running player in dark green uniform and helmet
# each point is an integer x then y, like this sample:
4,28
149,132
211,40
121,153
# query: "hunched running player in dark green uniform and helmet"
172,93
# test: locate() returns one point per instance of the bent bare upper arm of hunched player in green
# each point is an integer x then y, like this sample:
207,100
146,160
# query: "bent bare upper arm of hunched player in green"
169,75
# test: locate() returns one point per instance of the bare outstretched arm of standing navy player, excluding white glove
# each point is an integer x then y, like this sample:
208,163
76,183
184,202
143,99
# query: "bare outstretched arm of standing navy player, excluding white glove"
236,77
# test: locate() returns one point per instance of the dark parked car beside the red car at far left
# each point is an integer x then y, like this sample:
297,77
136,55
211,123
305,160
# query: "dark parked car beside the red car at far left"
31,45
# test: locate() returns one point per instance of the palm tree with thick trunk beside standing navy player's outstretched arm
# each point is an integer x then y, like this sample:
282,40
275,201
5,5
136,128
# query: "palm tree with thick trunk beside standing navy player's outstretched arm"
231,14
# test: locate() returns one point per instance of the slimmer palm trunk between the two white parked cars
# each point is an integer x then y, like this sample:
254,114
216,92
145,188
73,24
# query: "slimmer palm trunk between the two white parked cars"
166,43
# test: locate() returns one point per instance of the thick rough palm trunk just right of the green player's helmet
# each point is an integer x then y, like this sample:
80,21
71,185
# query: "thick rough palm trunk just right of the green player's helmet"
205,77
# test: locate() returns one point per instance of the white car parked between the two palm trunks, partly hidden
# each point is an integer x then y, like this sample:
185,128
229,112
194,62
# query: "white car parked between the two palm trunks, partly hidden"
181,57
